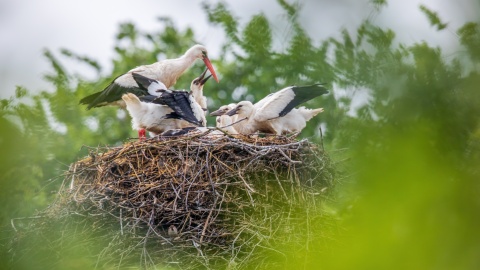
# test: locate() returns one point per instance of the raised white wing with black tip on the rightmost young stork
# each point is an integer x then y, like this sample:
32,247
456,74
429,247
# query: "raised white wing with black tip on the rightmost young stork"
282,102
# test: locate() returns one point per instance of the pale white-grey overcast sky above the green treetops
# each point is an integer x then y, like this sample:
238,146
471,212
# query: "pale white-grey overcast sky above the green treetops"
88,27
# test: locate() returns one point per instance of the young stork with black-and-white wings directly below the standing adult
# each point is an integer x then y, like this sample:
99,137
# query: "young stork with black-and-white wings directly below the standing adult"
164,111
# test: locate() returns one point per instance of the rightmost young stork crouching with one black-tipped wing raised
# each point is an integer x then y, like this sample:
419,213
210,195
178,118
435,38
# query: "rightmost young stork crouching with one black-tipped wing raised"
266,115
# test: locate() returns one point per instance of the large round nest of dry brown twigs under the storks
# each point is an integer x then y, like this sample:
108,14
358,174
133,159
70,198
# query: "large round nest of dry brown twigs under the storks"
217,200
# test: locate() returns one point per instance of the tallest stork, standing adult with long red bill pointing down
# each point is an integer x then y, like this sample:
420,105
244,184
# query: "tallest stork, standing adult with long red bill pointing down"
166,72
